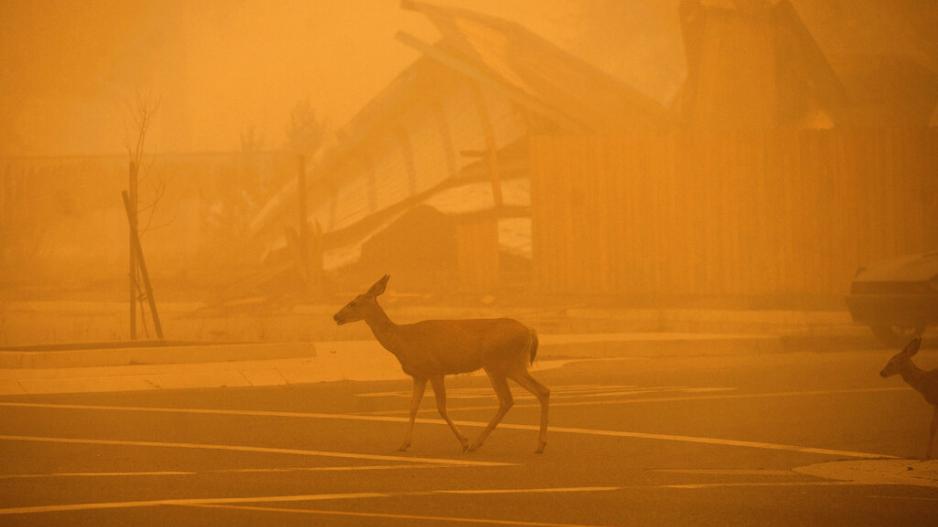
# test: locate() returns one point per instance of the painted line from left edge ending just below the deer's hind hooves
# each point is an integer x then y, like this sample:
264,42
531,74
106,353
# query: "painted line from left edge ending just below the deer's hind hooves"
262,450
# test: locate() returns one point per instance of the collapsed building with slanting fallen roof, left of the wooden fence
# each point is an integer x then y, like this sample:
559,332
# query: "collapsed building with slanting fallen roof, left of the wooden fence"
430,181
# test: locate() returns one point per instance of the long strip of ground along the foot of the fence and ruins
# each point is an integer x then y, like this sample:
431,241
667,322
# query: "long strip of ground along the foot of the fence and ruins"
56,322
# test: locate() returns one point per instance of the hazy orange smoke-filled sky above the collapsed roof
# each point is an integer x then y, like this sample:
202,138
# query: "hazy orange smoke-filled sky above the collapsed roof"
70,68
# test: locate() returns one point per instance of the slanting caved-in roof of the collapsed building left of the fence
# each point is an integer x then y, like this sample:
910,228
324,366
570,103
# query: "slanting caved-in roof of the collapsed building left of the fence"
373,173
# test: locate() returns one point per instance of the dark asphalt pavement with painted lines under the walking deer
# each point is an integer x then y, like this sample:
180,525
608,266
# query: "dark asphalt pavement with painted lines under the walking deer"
795,438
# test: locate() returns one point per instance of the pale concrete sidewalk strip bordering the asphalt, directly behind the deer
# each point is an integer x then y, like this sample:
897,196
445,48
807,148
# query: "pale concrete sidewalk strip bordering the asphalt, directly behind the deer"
111,369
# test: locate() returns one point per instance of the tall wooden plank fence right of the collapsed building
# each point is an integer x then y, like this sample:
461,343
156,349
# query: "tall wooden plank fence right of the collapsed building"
764,213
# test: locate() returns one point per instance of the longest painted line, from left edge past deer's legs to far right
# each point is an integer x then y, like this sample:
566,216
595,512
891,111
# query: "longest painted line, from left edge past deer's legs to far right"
478,424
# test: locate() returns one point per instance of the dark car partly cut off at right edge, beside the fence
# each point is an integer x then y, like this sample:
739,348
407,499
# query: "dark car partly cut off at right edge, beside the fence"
896,298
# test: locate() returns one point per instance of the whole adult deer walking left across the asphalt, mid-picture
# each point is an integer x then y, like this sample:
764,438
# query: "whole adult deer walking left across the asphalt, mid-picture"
431,349
